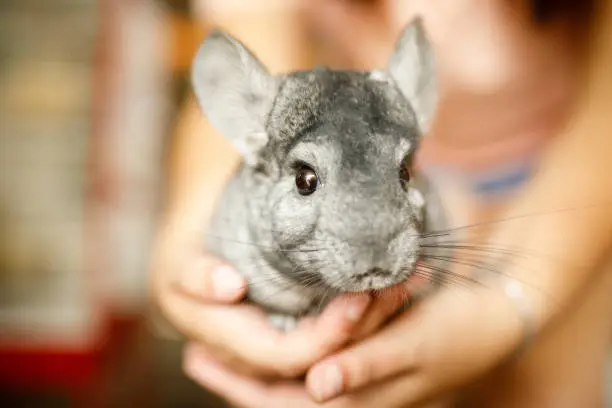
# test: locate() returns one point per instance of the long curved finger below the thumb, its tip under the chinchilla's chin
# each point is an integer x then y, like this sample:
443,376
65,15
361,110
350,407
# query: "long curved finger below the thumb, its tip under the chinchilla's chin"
244,332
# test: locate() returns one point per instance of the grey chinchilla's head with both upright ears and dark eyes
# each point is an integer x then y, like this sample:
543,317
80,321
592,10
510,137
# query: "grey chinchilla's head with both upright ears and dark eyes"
327,157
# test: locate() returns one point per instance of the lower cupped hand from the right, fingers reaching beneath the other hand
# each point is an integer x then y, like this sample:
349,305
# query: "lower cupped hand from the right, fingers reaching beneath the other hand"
424,353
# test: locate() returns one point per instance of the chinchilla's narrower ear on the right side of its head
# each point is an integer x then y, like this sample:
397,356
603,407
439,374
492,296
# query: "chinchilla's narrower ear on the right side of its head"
412,66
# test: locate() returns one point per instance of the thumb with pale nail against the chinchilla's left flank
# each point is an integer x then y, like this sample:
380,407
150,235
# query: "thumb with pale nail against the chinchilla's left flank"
207,279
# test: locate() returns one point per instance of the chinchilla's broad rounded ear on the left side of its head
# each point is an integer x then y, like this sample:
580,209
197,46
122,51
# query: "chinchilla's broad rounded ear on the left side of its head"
234,90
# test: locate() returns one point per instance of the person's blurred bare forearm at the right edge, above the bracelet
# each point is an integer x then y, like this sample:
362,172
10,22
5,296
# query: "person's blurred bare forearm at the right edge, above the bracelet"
574,185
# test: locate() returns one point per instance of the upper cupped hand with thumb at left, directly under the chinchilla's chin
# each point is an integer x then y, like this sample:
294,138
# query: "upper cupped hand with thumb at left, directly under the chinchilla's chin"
201,296
